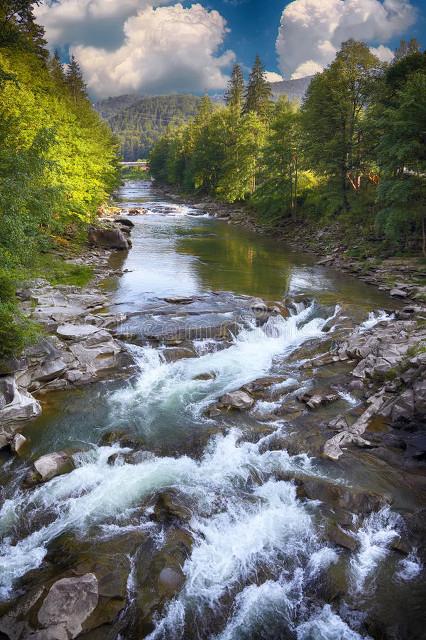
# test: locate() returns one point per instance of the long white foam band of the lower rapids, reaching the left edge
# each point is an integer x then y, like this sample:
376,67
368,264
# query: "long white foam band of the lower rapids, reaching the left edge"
96,491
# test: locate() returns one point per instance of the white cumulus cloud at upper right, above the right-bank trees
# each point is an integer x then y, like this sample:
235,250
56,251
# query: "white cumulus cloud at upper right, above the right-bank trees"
311,31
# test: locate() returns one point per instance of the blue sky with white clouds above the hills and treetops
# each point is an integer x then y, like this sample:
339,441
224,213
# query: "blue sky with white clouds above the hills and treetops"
154,47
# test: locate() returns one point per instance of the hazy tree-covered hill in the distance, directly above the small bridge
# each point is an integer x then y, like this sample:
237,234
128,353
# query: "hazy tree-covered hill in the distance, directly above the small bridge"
138,121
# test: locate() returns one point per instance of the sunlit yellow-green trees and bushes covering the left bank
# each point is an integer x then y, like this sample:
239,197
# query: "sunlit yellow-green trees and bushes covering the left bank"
58,163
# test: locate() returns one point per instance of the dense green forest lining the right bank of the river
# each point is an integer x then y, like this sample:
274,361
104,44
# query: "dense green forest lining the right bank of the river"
353,151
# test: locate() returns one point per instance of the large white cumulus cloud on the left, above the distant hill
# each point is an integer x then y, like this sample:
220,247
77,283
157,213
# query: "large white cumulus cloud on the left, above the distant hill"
156,47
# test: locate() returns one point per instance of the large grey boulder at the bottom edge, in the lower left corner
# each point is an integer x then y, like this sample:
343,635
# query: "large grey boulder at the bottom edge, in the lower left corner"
68,605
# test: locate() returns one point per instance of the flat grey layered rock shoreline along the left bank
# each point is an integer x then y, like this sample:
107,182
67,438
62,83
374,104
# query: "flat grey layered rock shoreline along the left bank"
78,346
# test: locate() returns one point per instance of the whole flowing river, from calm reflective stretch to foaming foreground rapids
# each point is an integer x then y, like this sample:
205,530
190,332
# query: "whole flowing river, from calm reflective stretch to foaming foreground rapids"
255,561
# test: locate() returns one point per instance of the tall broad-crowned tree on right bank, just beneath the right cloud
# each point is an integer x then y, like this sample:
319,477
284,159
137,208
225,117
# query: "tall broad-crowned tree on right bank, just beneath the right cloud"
333,117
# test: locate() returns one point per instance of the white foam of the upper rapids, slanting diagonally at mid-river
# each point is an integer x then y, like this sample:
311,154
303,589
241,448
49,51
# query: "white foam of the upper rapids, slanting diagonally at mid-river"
174,386
